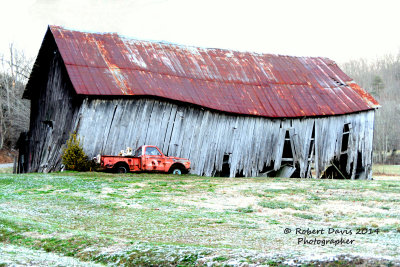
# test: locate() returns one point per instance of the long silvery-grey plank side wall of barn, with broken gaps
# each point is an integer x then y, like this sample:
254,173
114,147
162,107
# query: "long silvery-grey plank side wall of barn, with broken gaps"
203,136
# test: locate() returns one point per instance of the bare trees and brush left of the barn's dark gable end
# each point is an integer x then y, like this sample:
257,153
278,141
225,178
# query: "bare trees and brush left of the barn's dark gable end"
14,111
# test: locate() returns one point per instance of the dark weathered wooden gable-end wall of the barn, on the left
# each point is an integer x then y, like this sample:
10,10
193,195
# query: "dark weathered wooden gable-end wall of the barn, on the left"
54,107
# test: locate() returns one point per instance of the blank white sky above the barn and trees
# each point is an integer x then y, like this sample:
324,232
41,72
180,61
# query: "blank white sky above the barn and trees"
340,29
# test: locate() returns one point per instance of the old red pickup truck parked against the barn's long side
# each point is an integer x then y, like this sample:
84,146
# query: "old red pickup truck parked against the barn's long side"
146,158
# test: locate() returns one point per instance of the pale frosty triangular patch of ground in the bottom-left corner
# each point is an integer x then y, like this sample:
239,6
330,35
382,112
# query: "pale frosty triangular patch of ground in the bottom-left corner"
21,256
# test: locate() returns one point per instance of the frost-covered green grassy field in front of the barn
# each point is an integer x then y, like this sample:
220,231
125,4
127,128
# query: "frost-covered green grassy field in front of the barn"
144,219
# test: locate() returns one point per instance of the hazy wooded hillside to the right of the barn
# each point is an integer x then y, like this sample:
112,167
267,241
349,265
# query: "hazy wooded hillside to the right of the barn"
381,78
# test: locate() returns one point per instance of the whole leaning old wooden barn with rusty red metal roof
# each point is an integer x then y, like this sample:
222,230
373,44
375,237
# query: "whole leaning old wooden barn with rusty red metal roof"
231,113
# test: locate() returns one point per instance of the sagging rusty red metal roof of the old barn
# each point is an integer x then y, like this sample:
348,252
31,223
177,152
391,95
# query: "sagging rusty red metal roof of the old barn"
231,81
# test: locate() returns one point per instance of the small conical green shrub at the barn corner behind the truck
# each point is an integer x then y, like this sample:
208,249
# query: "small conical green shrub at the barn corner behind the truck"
73,157
